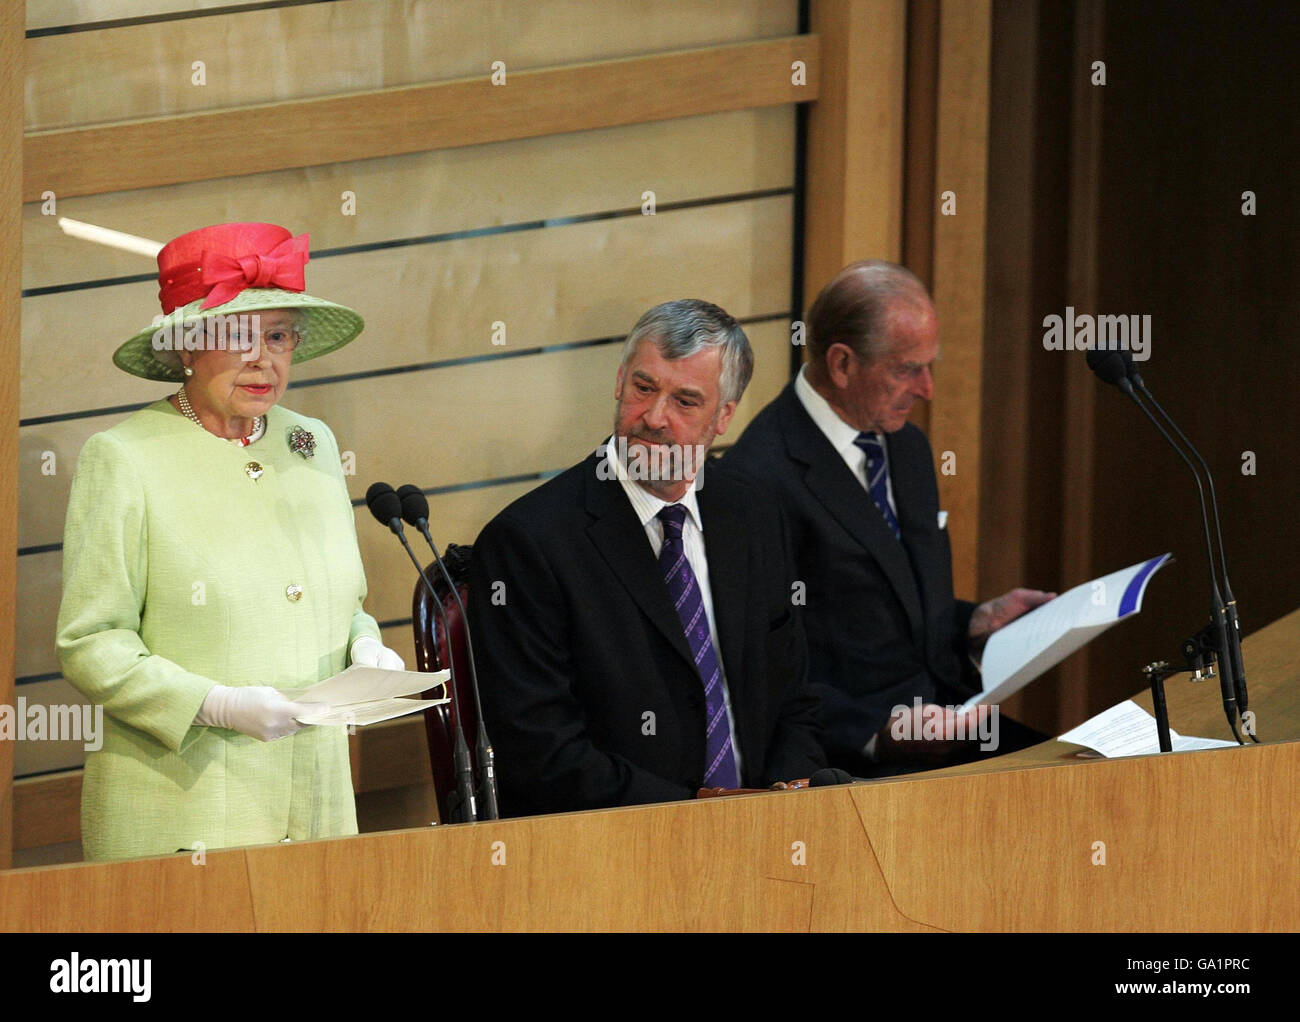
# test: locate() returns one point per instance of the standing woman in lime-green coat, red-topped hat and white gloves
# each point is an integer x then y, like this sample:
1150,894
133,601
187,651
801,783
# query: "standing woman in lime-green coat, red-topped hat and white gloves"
211,565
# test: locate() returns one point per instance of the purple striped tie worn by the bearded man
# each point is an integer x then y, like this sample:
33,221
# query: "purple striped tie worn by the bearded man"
684,590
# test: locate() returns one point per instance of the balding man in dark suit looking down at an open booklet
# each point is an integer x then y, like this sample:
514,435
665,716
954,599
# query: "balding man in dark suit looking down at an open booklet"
857,486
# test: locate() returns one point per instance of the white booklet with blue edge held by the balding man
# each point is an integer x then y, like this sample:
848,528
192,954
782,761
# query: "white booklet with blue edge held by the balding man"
1038,642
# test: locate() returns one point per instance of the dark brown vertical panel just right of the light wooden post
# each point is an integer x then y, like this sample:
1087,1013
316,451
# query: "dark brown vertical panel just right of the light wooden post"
1024,432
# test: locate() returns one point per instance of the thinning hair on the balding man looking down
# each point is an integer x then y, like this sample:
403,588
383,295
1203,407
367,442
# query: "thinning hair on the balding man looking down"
856,309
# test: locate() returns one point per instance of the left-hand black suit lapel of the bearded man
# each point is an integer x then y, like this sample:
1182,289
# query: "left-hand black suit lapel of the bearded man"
622,542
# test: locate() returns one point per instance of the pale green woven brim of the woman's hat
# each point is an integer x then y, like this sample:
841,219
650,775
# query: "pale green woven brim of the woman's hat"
153,356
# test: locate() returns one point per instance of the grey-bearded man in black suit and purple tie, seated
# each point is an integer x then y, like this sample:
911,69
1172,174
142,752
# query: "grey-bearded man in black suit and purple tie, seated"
634,617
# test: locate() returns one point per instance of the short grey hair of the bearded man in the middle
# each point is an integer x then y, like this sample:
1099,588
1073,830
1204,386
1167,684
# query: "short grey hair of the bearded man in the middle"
688,326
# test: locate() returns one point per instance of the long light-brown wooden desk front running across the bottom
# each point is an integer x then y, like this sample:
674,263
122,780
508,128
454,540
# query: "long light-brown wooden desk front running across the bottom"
1039,841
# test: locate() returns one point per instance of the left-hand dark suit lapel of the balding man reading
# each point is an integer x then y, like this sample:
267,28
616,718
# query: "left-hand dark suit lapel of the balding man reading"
844,499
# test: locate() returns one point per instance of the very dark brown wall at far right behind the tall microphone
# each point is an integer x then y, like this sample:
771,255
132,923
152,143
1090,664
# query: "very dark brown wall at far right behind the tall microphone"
1223,289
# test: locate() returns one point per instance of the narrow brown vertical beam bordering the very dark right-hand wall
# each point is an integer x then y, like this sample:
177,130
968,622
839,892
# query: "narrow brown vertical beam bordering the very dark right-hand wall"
1081,389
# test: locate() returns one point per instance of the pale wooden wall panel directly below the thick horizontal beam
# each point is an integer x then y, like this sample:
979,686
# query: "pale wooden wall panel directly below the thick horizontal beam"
434,194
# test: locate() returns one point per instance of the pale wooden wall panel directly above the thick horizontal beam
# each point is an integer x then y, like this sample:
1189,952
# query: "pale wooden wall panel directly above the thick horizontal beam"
320,50
